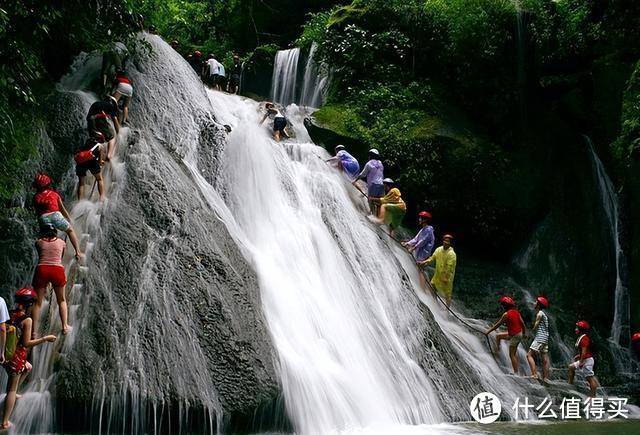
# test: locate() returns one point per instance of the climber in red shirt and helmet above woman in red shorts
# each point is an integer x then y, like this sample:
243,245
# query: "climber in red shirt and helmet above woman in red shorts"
51,210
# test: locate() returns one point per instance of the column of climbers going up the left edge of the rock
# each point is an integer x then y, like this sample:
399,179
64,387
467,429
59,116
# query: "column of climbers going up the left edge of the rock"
19,330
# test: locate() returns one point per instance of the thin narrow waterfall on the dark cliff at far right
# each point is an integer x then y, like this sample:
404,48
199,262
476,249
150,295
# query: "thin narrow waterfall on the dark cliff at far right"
621,316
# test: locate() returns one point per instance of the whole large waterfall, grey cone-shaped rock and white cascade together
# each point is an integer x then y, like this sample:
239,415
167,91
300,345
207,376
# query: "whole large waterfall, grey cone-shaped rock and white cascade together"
225,269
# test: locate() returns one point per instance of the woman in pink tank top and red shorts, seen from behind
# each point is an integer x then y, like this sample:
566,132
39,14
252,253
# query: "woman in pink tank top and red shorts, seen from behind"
50,270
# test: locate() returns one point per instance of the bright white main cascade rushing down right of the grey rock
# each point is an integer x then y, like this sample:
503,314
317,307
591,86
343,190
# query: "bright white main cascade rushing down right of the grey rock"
333,291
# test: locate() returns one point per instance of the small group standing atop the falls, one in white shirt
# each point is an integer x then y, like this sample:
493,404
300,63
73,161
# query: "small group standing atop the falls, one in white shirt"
213,72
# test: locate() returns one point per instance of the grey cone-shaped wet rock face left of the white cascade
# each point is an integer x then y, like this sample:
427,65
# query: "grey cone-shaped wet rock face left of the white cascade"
171,314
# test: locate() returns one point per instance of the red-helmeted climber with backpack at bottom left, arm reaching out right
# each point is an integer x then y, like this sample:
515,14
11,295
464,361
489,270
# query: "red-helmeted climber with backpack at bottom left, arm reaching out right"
17,366
